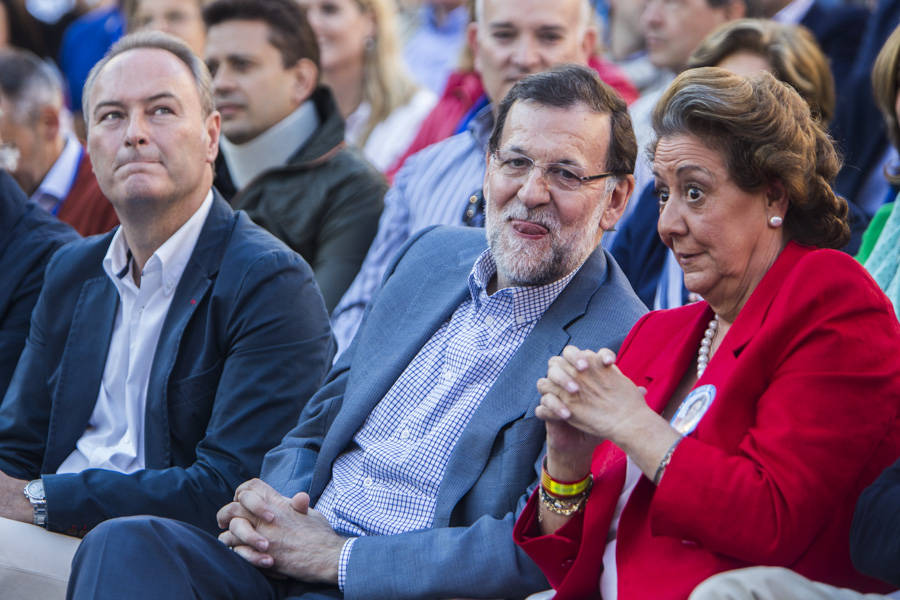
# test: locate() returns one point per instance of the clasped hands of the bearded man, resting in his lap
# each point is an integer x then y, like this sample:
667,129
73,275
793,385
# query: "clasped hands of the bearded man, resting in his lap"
281,534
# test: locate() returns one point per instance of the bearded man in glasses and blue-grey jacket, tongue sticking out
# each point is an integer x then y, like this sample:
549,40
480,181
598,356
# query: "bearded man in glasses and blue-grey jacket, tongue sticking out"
419,449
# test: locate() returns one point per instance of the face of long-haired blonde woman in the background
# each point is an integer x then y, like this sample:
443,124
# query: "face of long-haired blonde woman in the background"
342,28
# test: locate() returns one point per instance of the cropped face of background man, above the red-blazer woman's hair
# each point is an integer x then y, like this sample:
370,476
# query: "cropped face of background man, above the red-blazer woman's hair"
674,28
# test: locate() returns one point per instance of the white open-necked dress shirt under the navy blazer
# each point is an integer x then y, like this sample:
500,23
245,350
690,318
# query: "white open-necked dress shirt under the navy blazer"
114,438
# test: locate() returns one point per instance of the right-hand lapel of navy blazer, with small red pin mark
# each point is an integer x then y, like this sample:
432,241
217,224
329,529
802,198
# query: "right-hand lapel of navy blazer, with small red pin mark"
194,284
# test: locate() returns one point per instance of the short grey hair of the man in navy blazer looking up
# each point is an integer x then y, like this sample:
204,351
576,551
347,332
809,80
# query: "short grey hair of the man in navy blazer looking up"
159,41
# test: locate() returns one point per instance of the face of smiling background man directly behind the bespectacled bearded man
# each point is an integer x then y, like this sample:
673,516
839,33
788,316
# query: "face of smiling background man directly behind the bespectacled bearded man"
515,38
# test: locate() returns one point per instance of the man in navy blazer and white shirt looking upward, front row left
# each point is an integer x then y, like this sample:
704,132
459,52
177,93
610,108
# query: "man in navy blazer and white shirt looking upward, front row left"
164,358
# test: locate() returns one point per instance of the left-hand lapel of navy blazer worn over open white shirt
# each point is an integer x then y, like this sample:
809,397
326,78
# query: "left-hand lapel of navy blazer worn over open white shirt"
81,368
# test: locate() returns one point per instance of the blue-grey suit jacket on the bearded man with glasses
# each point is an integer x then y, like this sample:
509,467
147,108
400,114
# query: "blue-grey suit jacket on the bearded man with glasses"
469,549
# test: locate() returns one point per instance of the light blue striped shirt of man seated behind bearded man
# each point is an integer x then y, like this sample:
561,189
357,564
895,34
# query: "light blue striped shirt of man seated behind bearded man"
432,188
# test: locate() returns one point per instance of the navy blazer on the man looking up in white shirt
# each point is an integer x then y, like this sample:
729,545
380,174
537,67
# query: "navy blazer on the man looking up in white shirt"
245,343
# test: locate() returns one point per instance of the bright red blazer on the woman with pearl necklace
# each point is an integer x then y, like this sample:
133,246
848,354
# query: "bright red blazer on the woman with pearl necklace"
805,416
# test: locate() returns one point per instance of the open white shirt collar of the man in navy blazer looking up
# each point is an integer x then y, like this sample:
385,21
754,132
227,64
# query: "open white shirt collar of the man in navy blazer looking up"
171,258
